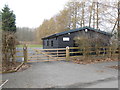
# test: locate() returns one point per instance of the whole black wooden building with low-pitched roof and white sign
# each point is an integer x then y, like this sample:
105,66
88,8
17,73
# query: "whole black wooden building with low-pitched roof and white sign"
66,38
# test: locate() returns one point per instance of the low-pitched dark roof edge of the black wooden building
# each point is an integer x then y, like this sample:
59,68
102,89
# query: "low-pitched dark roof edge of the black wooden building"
77,29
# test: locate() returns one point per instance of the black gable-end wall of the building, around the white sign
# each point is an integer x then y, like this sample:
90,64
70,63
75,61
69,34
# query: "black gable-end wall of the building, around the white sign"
91,34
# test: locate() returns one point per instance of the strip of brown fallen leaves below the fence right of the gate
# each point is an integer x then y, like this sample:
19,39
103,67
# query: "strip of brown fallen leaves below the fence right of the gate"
91,61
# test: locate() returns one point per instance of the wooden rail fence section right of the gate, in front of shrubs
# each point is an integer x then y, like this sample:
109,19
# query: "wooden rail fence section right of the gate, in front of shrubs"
93,51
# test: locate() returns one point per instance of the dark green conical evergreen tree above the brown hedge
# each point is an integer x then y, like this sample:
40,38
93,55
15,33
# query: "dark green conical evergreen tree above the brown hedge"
8,19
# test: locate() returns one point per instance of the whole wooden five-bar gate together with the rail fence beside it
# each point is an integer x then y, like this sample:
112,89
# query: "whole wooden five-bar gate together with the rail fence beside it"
66,53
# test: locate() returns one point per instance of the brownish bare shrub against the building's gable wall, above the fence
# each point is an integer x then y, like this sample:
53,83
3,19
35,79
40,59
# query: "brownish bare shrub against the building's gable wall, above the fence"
87,41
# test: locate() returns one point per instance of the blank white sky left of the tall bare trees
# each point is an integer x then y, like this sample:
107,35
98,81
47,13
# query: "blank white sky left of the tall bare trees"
31,13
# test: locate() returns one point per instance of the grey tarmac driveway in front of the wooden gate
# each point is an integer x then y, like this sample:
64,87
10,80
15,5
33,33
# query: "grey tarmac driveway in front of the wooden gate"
62,74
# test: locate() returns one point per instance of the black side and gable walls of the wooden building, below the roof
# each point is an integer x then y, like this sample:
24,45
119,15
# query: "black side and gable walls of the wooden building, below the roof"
59,43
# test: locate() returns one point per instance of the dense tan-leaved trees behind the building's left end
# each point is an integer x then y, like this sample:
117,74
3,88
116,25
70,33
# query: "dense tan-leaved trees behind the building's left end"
56,24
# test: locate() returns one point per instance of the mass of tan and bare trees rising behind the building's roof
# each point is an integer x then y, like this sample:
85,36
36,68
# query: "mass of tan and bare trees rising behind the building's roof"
78,14
